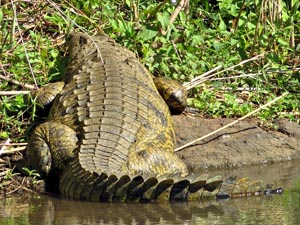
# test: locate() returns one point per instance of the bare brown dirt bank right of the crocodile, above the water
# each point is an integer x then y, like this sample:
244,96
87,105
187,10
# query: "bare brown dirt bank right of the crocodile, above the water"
245,143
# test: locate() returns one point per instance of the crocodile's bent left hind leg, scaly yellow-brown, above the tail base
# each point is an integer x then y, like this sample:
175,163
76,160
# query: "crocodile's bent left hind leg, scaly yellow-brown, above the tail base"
51,146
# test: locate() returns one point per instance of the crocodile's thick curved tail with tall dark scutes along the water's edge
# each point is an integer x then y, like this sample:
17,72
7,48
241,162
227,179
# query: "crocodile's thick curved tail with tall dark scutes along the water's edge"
78,183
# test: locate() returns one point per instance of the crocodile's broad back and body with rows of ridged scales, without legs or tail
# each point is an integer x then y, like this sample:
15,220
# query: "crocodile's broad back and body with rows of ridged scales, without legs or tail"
112,103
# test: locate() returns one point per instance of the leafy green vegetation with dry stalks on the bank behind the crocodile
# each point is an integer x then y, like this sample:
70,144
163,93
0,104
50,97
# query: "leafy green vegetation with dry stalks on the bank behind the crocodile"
205,34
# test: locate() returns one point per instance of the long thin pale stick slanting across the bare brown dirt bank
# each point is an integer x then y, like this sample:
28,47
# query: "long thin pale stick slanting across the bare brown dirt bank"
232,123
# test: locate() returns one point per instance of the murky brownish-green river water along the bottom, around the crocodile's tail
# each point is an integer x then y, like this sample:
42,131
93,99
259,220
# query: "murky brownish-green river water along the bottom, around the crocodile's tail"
276,209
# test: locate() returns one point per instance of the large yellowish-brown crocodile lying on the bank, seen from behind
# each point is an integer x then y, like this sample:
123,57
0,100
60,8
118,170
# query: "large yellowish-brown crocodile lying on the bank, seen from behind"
109,134
